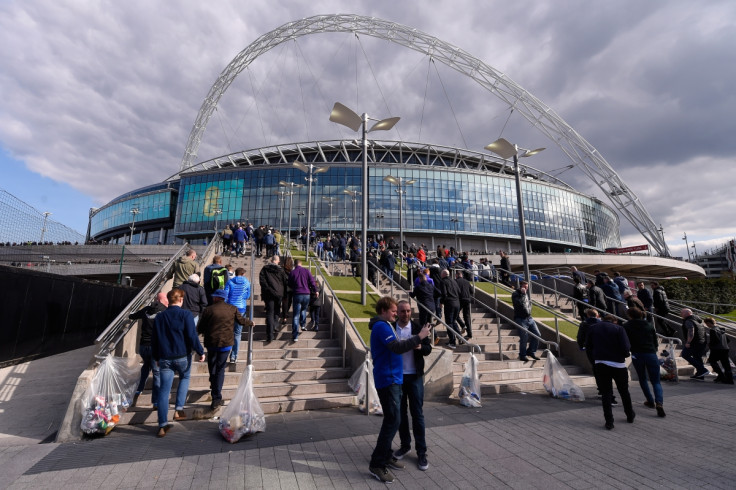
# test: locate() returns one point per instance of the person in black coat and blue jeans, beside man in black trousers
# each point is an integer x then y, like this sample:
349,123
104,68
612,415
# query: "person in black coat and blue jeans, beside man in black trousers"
644,342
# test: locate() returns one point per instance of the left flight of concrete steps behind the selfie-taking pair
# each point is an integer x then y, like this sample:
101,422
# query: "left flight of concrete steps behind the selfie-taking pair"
288,376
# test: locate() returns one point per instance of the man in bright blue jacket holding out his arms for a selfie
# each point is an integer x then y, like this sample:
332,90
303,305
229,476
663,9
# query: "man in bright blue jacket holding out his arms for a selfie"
388,375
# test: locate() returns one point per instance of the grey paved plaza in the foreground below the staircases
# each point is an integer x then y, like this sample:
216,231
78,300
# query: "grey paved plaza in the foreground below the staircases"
514,440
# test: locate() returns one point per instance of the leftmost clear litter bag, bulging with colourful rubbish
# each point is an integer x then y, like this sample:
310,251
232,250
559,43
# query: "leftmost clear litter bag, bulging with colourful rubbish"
109,394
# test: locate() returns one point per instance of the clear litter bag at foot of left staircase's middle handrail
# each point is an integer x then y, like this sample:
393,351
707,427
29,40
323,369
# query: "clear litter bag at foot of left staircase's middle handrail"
243,415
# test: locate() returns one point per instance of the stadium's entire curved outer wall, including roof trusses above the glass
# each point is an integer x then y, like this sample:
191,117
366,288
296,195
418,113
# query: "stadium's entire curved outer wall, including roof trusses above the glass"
474,188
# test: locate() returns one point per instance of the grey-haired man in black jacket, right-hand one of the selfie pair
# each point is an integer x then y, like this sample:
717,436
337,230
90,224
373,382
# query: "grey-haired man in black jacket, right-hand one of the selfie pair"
413,387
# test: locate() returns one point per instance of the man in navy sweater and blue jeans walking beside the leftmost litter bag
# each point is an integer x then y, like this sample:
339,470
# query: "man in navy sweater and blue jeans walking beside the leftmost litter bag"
172,342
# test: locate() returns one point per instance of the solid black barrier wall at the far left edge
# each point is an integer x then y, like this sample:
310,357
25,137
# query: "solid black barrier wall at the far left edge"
43,314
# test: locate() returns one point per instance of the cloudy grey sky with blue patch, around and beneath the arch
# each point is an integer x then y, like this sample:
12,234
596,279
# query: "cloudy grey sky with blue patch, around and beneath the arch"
99,97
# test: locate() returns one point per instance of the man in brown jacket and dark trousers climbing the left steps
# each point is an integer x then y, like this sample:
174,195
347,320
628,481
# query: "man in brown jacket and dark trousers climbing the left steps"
216,326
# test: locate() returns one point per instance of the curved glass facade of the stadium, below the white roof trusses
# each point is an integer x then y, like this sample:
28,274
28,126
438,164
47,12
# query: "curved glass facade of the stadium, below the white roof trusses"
482,202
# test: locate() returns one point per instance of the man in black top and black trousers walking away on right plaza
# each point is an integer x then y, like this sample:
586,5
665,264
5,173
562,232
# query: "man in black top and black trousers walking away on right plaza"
609,346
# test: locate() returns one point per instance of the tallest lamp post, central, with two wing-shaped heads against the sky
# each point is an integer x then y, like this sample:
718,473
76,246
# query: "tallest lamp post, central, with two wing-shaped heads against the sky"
345,116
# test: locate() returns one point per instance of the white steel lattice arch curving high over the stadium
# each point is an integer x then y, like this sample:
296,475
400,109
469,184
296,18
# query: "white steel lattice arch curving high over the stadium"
542,117
